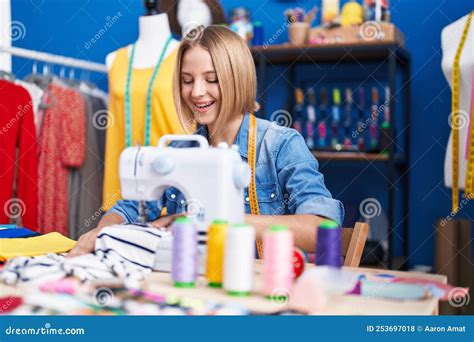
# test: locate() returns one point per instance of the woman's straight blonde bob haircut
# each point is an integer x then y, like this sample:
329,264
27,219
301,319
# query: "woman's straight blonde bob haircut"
235,72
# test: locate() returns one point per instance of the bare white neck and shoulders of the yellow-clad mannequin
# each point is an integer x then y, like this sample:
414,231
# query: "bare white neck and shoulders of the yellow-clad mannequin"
154,31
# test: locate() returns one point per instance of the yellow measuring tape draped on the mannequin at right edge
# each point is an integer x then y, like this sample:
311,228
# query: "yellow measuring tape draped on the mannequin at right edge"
455,126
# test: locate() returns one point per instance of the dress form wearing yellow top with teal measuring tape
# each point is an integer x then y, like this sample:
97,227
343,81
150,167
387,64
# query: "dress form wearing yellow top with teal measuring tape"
141,103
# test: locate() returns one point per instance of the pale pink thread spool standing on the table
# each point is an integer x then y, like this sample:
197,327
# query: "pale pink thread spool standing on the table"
278,261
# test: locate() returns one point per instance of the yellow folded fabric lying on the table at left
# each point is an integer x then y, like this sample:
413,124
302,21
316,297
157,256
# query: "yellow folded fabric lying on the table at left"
33,246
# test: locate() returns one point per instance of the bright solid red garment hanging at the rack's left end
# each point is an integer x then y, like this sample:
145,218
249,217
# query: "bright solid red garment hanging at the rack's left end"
17,131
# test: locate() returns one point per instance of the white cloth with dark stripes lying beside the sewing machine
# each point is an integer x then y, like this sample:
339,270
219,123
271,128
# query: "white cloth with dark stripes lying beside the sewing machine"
127,252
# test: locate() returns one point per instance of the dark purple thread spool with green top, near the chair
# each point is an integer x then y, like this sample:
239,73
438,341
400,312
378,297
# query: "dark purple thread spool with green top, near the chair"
328,244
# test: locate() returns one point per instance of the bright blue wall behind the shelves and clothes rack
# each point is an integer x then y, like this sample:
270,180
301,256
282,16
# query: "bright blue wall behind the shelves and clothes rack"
66,27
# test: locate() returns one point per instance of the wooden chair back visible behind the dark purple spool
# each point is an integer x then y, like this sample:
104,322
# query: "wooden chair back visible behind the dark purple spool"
353,242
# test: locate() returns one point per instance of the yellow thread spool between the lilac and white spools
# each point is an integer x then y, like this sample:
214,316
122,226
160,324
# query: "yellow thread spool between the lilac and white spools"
215,253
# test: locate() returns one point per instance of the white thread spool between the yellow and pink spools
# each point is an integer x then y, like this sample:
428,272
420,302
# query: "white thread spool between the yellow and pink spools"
239,259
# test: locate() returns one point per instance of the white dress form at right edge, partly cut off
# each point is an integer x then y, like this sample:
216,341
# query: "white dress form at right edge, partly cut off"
450,38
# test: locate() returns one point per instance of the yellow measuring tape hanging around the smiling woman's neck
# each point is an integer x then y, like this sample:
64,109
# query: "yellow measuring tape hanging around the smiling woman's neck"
252,157
